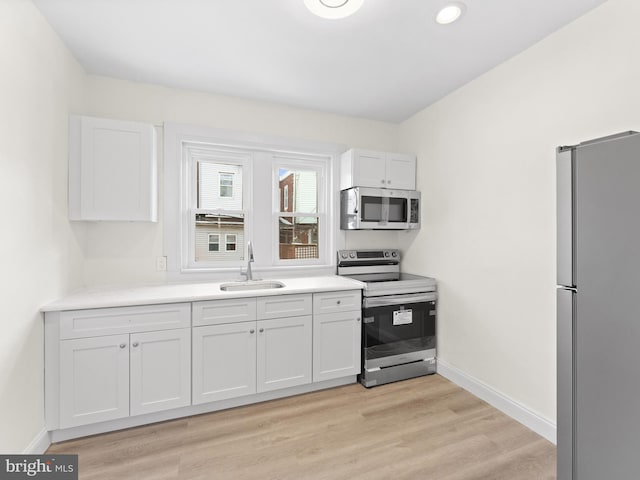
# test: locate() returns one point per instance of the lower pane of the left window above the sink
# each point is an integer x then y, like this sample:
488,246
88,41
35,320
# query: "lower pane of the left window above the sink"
210,229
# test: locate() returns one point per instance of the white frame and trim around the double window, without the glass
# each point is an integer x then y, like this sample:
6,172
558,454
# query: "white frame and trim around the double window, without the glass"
177,137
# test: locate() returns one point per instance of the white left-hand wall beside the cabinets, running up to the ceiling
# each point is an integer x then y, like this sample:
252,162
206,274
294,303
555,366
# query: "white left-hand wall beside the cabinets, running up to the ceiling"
40,252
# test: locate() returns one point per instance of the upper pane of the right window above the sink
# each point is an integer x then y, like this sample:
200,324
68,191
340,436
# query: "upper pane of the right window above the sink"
298,190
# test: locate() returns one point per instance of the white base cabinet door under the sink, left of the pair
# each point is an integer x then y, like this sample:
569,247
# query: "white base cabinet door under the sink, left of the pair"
224,361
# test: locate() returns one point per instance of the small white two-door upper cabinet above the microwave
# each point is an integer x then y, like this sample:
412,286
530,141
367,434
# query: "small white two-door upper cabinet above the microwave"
364,168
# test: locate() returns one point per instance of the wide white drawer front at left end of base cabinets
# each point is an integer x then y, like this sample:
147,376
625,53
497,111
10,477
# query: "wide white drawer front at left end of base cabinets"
112,321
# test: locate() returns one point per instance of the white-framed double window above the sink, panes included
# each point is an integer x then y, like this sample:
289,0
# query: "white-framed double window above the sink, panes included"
217,197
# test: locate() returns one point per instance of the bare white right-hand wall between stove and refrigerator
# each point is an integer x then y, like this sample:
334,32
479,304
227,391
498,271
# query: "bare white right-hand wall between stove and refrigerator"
487,174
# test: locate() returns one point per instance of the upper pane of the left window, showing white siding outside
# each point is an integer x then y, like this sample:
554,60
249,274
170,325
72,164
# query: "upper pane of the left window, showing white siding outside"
216,182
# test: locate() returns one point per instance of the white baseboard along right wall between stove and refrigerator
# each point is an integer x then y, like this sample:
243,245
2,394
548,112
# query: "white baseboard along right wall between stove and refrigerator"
506,405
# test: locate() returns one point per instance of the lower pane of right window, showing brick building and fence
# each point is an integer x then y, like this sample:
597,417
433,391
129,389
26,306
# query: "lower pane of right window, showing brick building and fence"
298,238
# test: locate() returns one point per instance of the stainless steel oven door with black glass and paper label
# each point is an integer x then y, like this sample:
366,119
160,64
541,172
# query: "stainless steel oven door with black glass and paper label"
398,329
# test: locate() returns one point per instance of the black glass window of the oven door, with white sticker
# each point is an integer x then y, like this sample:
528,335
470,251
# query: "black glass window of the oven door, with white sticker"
399,329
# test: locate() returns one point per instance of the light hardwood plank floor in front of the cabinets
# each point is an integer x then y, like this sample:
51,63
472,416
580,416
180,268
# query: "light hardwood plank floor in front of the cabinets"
421,429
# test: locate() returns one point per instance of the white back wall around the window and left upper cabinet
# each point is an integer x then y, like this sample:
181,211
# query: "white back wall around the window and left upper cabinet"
126,253
